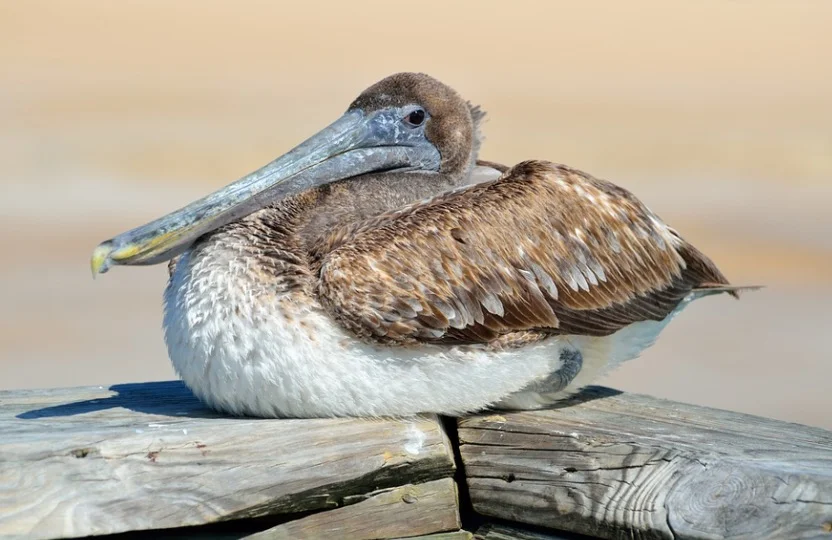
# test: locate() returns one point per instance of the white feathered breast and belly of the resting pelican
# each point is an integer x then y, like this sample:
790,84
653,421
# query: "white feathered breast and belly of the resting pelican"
247,332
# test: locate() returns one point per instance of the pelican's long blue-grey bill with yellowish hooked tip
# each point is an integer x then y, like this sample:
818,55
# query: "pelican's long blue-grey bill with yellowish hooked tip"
356,143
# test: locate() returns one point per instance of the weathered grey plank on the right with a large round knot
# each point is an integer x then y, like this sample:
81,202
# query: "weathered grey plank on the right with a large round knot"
618,465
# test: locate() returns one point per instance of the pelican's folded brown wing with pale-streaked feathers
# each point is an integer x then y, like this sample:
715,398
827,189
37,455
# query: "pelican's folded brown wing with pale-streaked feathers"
545,247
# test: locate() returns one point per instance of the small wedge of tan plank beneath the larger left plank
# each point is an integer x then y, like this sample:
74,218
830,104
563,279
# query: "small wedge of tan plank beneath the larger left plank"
397,512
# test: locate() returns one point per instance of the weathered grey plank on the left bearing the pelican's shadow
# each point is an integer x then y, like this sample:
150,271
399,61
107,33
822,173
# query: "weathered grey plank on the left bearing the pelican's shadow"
92,461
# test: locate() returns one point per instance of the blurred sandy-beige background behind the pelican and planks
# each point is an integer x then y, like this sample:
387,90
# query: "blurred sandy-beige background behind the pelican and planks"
717,114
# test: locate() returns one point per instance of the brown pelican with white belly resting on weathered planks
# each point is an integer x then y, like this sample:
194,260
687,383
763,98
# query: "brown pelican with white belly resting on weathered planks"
377,270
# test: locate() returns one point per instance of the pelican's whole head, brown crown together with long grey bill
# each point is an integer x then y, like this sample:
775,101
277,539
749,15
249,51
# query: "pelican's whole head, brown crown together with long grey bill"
405,122
